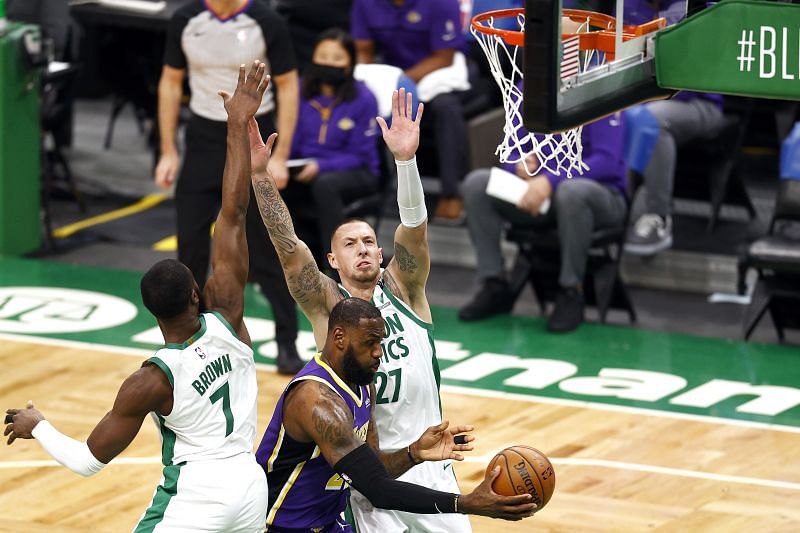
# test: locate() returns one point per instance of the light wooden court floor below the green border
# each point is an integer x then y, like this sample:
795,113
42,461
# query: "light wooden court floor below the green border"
616,471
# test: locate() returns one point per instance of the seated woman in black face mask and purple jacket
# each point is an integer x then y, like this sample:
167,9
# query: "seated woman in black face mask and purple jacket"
336,129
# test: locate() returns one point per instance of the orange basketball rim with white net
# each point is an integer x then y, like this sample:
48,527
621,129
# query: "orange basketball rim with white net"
591,45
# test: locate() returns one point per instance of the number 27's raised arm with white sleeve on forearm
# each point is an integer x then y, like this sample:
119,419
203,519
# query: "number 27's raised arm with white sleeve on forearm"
408,271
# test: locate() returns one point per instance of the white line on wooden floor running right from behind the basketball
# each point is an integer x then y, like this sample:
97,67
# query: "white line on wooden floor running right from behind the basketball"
651,469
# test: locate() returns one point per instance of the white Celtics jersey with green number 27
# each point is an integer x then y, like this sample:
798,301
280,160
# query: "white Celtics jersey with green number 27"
407,383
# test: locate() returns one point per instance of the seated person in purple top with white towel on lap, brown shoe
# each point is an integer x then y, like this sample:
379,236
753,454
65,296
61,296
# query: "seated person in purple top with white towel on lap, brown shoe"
424,38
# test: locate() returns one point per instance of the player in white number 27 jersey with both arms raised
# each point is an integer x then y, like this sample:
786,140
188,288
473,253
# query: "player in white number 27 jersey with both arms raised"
407,382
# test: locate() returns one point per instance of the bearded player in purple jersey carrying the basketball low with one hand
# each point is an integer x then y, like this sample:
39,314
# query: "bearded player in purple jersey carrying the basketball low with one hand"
322,438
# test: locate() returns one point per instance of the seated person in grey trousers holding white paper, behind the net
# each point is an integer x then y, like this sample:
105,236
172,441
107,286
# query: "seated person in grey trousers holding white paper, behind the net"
580,205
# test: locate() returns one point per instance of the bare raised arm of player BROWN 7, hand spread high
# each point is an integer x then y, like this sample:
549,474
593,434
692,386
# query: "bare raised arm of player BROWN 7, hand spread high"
224,291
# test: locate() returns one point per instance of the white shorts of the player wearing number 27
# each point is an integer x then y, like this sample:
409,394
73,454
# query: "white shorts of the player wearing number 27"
433,475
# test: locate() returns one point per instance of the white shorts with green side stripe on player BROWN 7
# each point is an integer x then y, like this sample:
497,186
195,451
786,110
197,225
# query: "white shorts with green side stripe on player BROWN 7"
217,495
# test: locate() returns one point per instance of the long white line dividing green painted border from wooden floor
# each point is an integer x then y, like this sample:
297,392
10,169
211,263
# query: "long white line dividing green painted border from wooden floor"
595,406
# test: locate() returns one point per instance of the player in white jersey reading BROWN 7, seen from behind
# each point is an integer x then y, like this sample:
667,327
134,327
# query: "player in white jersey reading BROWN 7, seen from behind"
200,388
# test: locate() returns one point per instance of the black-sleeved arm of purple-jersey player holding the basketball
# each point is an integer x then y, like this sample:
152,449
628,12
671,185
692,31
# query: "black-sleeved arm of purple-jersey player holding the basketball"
313,412
